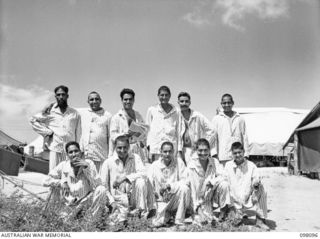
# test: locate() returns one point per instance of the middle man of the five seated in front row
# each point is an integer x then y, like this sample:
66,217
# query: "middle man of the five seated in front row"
168,178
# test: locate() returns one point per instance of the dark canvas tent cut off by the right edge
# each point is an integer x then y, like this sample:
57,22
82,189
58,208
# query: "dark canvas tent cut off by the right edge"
306,143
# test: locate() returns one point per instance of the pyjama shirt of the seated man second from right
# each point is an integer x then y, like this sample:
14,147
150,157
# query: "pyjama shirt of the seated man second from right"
199,178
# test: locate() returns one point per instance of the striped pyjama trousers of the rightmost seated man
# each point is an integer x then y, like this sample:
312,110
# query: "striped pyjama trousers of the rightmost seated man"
256,202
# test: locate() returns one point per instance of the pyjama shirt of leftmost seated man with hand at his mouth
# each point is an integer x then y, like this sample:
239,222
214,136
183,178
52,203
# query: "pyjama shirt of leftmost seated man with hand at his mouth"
80,185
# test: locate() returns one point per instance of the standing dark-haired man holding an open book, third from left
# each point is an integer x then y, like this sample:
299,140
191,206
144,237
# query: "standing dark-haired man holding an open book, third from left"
125,122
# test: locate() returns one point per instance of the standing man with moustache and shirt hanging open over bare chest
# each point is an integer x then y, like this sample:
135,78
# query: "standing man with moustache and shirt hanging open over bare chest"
192,126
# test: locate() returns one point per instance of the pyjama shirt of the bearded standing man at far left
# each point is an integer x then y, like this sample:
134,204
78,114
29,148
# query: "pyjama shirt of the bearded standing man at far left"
64,126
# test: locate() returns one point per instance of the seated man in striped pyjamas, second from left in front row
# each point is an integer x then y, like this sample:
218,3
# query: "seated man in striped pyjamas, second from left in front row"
124,175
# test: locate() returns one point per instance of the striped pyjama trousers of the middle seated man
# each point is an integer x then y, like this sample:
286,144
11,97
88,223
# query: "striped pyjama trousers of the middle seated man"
179,202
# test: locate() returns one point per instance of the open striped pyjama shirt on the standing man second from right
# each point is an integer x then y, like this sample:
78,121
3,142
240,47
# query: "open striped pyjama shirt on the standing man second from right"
198,126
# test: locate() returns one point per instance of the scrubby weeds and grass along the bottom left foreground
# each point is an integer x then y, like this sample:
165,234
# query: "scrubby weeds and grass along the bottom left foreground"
19,215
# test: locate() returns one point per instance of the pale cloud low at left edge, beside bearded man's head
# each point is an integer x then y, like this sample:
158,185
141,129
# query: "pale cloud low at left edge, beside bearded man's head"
19,102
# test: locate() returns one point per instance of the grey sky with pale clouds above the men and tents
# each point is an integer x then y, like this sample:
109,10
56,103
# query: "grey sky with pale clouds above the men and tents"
266,53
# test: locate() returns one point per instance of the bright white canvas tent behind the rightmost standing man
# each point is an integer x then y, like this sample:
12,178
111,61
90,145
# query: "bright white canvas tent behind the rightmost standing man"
269,128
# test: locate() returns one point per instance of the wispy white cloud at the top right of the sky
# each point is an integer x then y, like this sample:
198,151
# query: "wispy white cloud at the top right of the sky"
231,12
